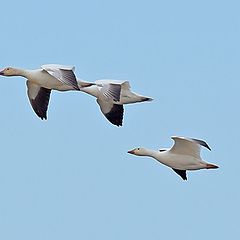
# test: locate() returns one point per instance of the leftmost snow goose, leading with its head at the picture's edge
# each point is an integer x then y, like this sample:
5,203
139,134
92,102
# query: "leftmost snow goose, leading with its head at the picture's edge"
40,82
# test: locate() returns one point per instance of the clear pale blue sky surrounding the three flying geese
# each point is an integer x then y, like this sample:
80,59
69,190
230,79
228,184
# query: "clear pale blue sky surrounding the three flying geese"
70,177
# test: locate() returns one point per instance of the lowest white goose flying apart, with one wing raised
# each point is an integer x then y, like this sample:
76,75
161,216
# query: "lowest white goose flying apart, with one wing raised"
184,155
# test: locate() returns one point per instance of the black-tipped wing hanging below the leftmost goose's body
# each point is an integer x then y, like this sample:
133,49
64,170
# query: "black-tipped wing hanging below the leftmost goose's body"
39,99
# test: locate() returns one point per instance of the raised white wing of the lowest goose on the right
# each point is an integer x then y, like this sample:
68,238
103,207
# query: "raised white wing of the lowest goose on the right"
188,146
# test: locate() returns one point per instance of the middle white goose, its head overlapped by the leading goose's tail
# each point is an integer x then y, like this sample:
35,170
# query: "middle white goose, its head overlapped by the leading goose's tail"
111,96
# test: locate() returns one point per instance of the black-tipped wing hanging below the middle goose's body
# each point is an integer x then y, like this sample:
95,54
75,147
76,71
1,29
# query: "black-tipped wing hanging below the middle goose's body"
113,112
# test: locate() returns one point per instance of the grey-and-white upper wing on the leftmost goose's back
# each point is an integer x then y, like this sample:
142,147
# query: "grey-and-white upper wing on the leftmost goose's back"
64,74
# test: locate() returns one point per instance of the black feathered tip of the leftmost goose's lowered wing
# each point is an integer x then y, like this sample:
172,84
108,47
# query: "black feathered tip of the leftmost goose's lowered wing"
40,103
